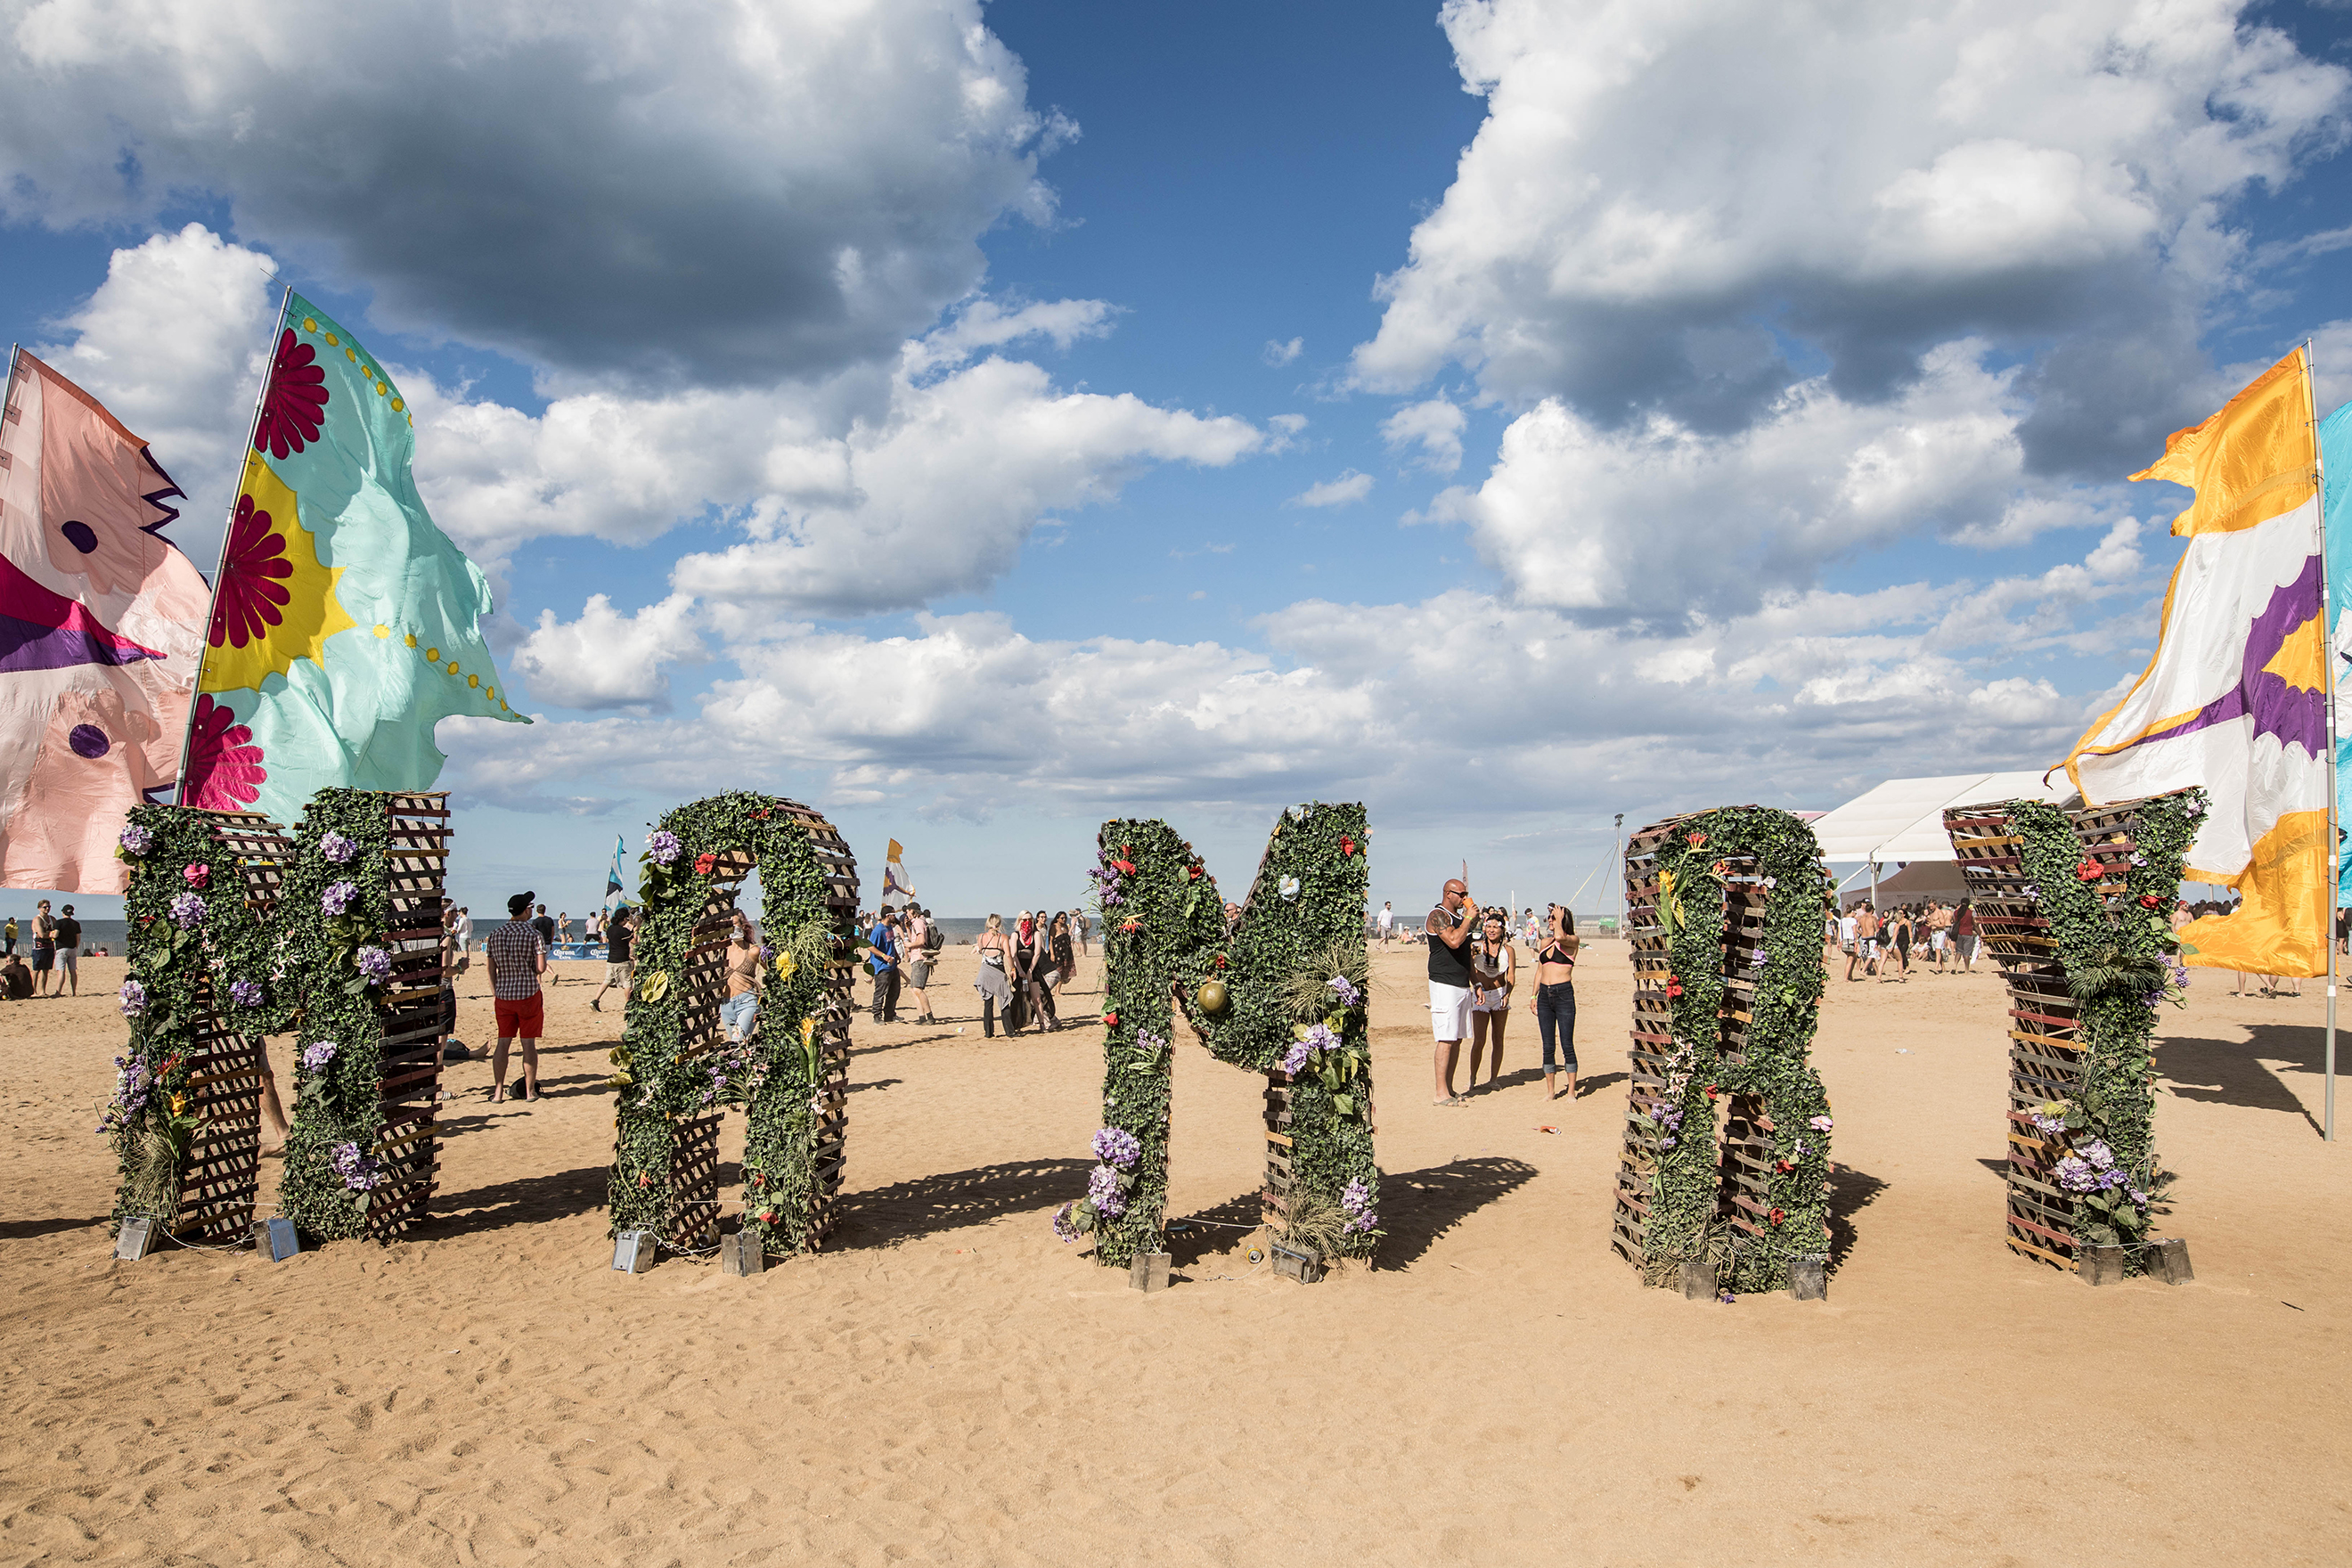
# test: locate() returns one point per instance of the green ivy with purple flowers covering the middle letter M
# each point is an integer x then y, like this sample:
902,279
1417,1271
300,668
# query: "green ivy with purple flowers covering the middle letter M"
1163,939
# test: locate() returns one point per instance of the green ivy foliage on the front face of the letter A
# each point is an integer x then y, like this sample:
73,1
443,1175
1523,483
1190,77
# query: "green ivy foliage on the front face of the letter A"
777,1076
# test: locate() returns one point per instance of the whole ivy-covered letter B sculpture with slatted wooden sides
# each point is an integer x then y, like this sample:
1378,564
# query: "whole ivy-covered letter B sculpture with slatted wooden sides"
1728,989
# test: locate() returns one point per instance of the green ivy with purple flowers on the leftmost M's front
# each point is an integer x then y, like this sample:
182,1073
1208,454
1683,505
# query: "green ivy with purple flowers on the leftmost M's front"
305,967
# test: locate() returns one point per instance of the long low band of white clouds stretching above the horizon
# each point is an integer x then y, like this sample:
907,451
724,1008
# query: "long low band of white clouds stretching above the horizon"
1803,699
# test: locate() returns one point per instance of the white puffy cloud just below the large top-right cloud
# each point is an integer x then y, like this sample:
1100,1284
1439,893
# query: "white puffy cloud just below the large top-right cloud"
1662,523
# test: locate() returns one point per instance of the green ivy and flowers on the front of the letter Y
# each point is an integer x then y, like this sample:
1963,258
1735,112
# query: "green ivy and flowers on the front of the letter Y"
2116,932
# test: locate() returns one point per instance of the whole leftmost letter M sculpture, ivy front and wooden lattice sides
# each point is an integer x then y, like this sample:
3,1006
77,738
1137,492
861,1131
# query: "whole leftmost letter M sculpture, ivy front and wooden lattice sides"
241,930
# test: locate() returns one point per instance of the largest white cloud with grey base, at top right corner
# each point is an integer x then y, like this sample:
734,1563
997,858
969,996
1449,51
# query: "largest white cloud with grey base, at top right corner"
1850,189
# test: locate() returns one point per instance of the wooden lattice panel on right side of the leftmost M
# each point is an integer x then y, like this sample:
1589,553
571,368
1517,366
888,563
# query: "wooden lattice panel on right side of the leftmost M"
408,1148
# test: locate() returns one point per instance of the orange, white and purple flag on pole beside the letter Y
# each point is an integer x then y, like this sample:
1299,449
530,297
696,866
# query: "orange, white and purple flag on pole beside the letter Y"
2236,692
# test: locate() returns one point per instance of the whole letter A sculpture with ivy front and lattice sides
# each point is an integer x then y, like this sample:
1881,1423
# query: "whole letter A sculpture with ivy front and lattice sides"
676,1073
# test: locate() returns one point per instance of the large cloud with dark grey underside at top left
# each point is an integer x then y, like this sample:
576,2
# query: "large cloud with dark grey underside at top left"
690,194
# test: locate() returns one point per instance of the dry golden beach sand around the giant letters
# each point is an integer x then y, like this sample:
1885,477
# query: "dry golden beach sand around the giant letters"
949,1383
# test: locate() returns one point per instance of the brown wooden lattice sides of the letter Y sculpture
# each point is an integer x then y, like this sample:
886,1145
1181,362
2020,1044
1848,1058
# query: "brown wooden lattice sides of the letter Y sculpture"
2045,1021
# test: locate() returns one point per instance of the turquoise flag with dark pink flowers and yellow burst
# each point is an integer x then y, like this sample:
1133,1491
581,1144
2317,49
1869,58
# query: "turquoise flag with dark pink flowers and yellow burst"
345,624
